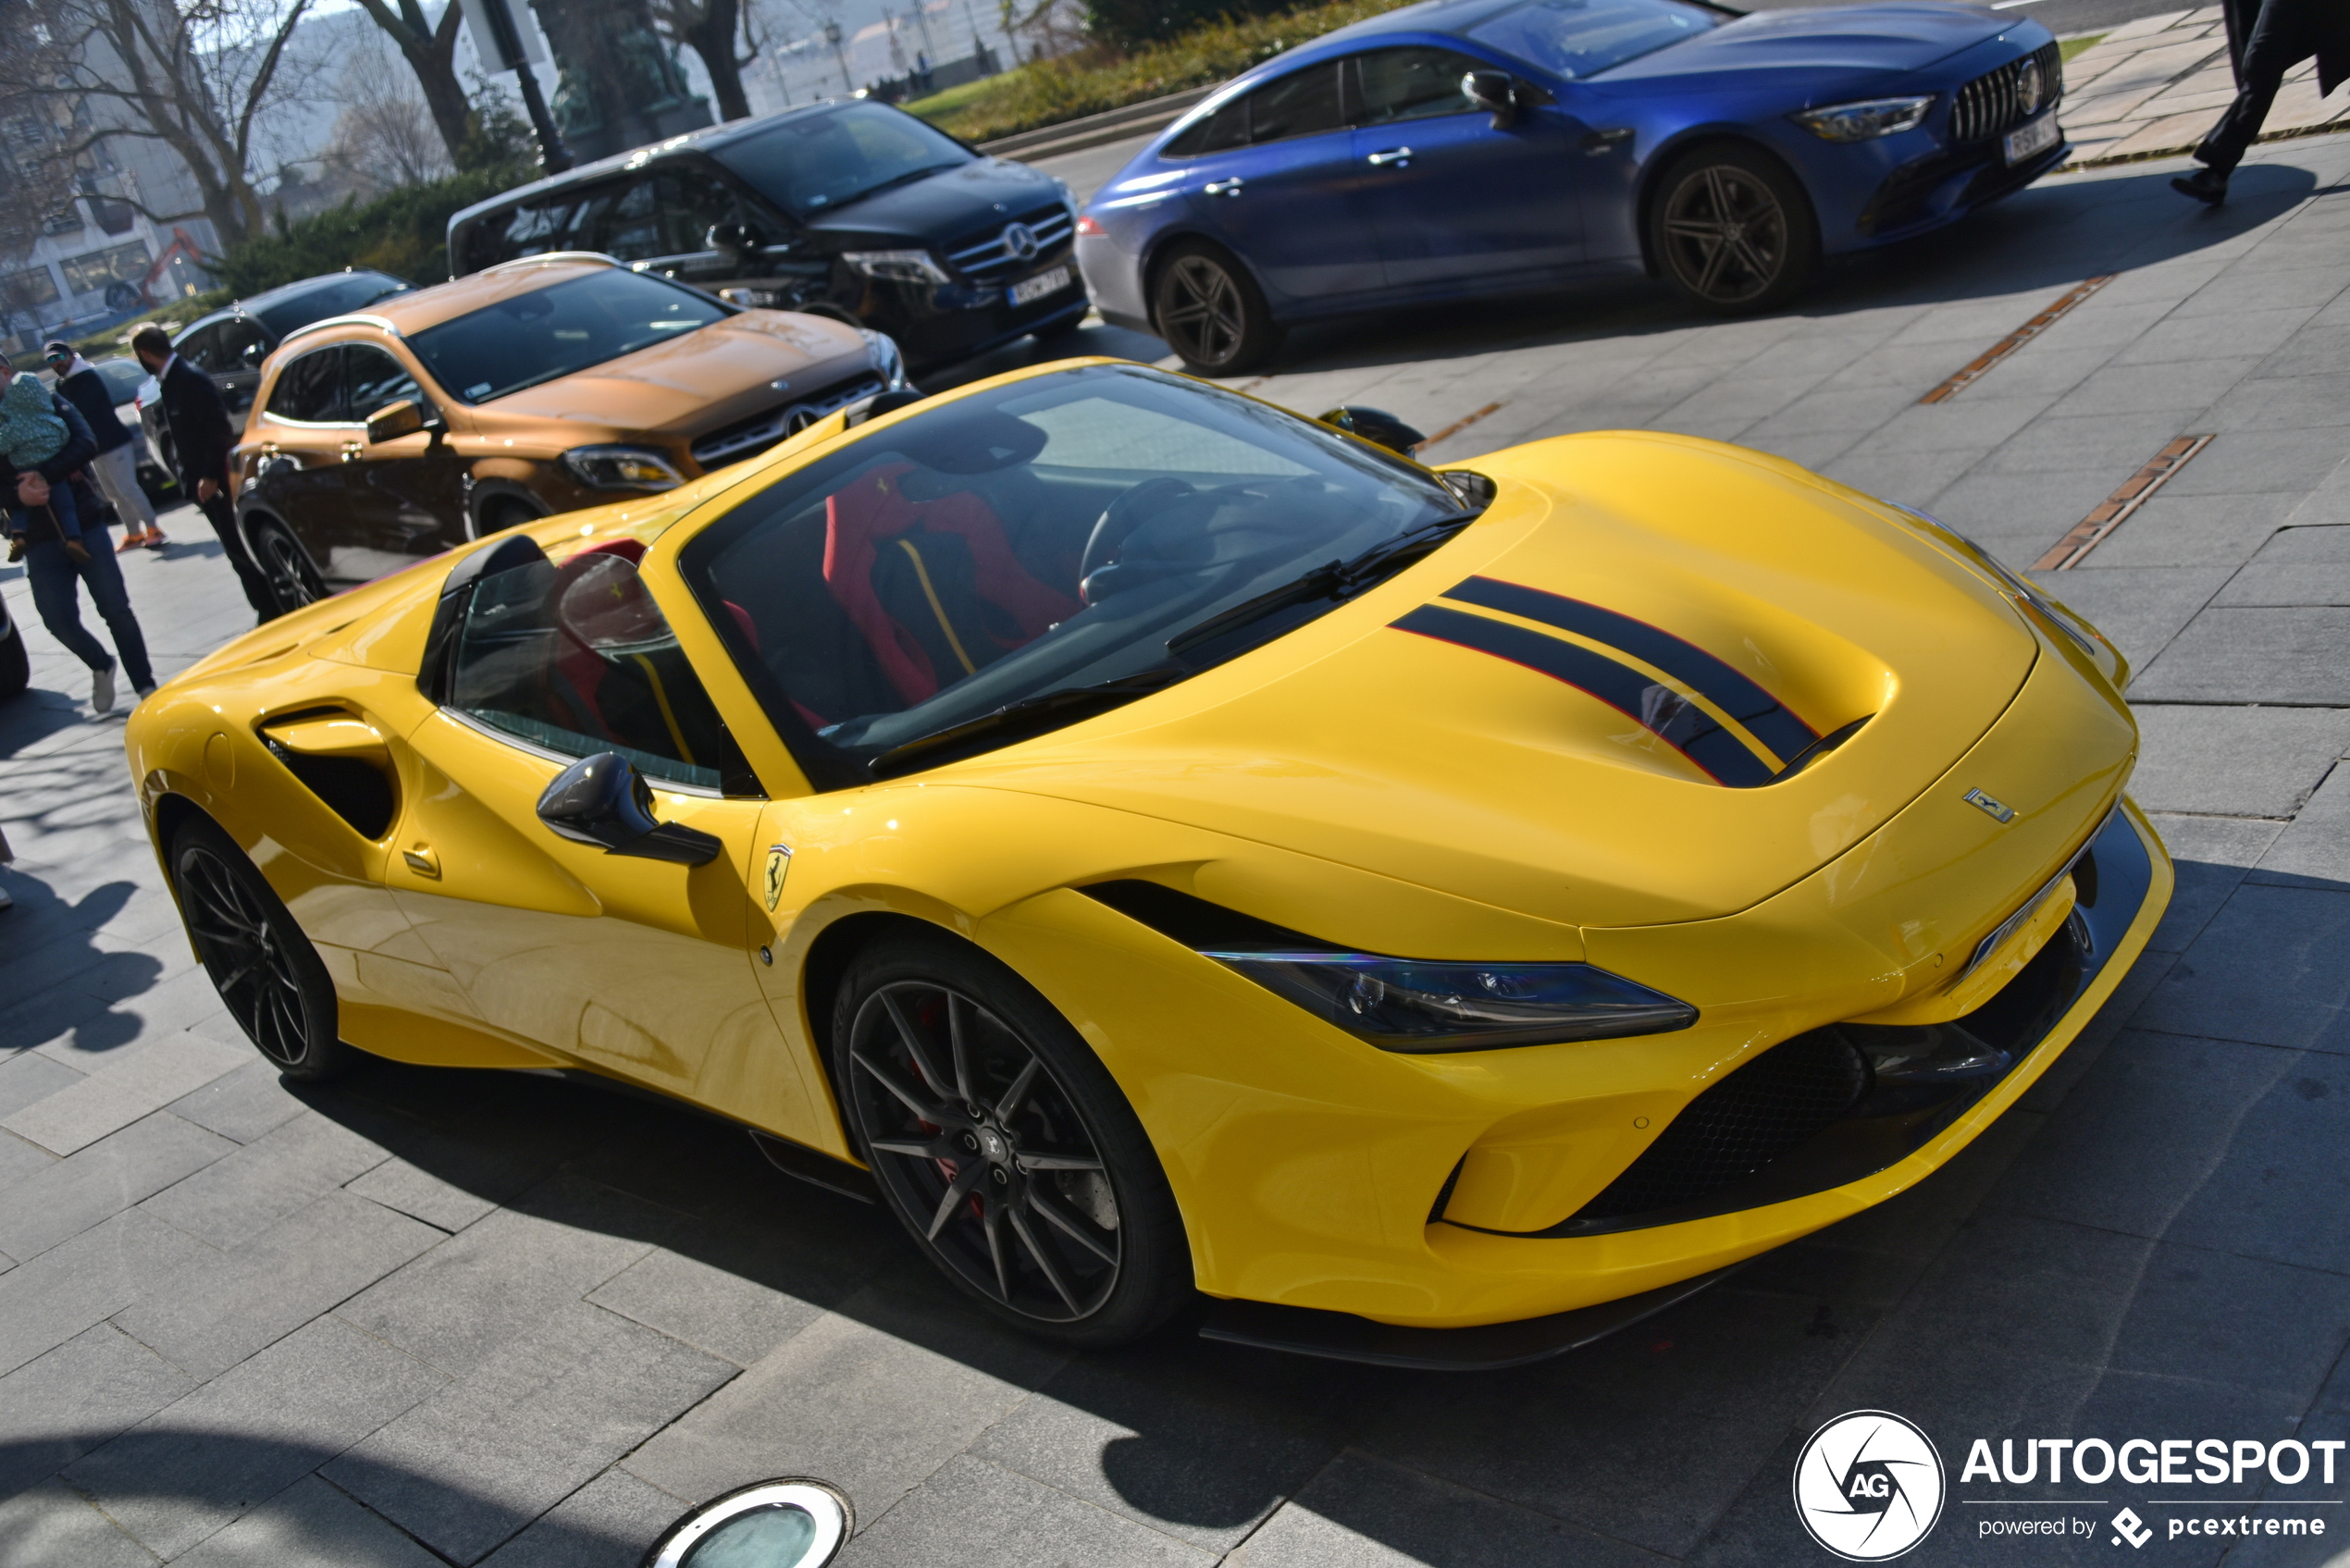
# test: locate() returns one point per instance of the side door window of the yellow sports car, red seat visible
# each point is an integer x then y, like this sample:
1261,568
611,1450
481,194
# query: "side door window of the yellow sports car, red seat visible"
579,659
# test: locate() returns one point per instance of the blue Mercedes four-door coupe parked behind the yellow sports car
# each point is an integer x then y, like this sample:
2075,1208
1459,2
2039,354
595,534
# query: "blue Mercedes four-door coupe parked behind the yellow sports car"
1479,147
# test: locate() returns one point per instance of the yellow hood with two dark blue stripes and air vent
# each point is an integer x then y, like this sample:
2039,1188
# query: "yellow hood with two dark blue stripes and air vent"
1435,728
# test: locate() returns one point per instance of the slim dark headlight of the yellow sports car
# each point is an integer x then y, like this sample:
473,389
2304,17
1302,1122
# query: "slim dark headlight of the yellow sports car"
1421,1005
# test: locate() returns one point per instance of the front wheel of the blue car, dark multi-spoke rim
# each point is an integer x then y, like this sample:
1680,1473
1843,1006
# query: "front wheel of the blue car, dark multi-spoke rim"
1733,232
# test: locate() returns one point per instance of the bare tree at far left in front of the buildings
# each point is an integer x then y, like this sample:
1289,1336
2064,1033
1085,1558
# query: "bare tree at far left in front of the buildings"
192,74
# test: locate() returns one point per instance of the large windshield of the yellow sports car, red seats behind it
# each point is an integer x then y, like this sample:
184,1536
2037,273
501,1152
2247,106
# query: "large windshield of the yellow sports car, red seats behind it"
1040,540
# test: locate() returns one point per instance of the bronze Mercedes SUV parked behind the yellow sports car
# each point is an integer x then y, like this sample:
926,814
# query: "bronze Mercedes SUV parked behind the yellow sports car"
537,387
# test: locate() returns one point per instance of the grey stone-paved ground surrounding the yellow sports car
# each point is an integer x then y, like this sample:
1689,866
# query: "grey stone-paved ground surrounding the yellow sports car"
441,1318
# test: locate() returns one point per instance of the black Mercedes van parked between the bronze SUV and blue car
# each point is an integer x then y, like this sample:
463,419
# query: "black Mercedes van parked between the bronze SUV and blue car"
842,208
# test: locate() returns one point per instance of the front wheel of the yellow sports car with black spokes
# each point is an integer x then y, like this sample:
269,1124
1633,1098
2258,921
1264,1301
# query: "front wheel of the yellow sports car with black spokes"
1005,1146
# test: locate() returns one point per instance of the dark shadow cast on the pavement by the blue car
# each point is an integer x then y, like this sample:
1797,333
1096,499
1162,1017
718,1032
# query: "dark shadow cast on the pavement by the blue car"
2043,239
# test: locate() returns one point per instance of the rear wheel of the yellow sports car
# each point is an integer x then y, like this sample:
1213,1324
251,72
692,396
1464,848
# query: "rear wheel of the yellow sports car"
264,967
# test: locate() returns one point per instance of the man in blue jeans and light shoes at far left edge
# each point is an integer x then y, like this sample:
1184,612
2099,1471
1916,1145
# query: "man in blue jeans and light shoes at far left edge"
60,558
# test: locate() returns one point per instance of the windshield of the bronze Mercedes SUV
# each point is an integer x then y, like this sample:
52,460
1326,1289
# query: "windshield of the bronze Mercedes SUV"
558,330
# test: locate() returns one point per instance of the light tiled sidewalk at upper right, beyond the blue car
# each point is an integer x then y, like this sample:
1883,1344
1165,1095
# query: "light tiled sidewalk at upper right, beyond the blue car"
2151,88
